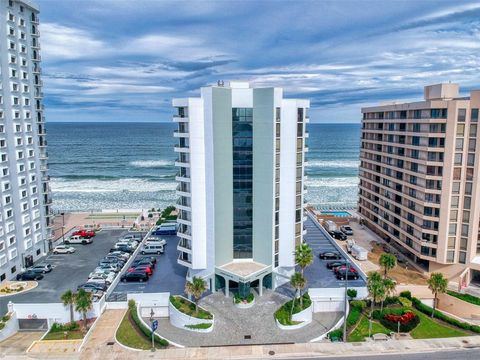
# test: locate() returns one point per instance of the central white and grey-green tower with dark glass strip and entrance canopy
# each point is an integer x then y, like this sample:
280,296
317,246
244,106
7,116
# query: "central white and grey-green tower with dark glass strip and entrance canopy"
240,184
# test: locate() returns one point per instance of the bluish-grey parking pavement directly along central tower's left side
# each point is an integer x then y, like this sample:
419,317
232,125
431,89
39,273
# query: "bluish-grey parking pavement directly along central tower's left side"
167,276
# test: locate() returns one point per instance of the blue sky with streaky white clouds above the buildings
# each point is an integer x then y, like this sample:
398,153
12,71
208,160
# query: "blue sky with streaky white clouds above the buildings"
117,60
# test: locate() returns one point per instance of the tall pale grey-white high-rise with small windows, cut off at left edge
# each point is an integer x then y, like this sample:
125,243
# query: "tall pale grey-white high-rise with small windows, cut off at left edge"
24,190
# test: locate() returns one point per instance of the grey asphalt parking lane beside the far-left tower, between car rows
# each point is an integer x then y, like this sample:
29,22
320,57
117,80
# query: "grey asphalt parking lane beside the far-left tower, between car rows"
69,270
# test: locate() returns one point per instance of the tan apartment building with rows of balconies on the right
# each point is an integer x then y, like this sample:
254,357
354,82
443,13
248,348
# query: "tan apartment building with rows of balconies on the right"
419,179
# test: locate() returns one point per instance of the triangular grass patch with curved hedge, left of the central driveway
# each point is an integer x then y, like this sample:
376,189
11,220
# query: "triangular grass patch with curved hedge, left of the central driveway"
133,334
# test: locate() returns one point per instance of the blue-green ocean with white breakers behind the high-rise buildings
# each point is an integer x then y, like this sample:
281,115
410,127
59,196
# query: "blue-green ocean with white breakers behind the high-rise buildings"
130,165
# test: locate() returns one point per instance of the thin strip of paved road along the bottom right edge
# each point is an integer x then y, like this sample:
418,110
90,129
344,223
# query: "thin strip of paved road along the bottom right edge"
472,354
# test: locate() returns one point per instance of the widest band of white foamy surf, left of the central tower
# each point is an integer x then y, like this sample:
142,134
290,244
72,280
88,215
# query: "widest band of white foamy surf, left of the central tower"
61,185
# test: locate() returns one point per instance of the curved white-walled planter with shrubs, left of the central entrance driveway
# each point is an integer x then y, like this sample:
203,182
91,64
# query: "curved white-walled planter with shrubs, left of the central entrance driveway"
184,314
